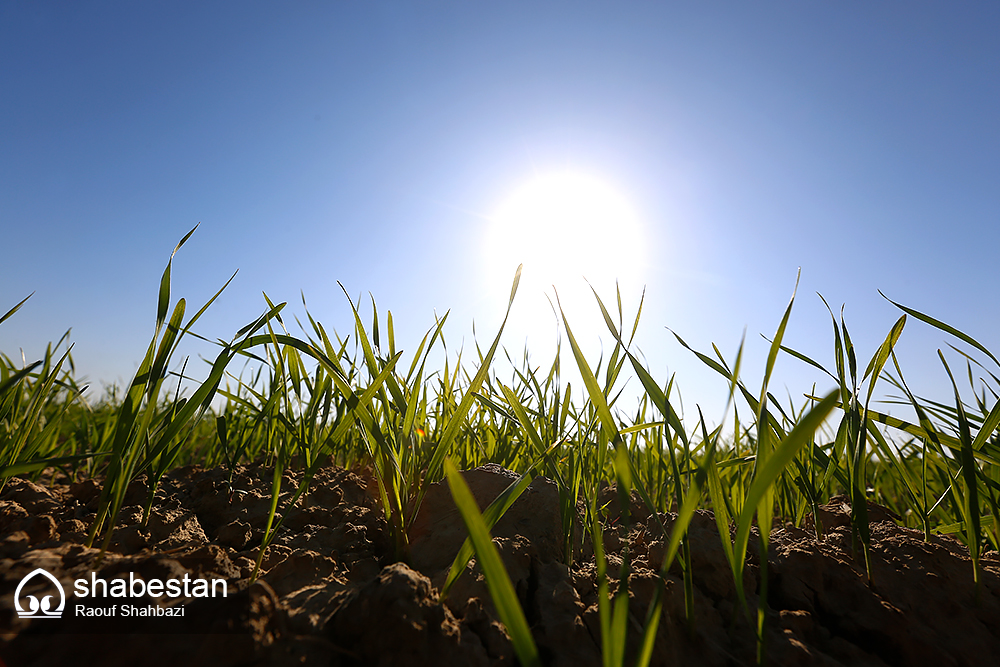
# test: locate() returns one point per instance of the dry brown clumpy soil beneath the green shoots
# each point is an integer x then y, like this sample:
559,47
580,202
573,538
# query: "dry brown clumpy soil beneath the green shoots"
331,592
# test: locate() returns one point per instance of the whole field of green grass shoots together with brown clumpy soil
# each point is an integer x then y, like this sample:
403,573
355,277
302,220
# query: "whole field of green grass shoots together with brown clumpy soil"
348,494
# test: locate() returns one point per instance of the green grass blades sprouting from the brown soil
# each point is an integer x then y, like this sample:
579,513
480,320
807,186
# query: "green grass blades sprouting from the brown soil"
317,397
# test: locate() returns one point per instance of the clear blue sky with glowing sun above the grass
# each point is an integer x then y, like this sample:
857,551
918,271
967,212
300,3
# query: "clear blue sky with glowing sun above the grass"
417,152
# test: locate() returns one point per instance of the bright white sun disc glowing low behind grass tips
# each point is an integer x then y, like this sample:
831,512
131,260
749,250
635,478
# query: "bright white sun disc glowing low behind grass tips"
568,229
